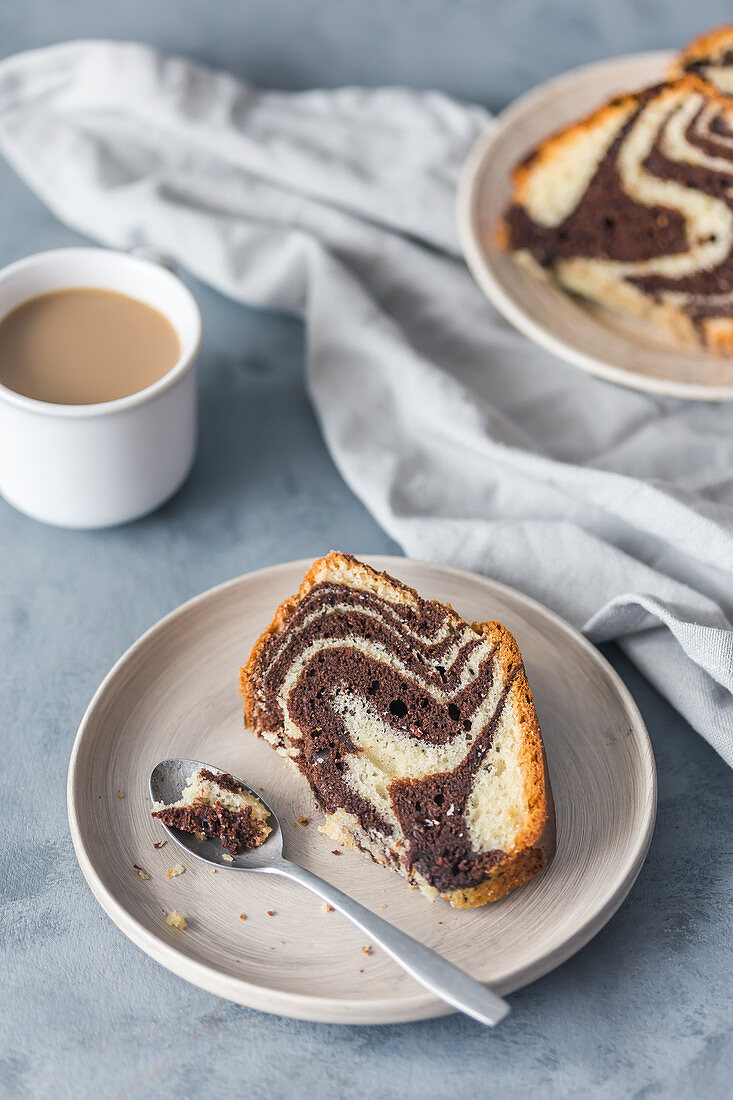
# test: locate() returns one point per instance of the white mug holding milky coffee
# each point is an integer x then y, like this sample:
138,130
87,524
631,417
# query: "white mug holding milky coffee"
97,466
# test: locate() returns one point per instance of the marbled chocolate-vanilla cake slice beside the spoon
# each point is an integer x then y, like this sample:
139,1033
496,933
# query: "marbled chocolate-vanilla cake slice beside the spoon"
415,731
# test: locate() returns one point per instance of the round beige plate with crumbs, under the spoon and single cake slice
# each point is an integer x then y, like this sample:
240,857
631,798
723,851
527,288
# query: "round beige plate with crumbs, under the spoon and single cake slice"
176,694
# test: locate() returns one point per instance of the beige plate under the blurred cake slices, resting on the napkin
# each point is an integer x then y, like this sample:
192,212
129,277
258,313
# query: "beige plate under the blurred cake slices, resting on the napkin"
627,351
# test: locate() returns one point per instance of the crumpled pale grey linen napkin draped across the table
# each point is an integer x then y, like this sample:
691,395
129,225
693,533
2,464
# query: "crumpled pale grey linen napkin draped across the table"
468,444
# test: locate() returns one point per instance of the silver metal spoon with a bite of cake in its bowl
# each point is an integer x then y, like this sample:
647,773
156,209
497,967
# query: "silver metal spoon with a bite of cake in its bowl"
444,980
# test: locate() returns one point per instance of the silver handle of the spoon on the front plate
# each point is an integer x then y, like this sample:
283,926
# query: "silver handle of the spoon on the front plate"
424,965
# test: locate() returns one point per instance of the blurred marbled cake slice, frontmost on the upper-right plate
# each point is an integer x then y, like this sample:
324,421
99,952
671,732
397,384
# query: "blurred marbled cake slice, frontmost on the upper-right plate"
633,208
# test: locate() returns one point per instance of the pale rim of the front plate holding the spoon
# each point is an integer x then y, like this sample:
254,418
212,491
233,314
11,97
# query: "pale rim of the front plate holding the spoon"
422,1006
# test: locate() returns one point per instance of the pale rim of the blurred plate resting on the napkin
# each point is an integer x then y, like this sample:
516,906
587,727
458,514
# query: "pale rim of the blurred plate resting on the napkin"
480,267
